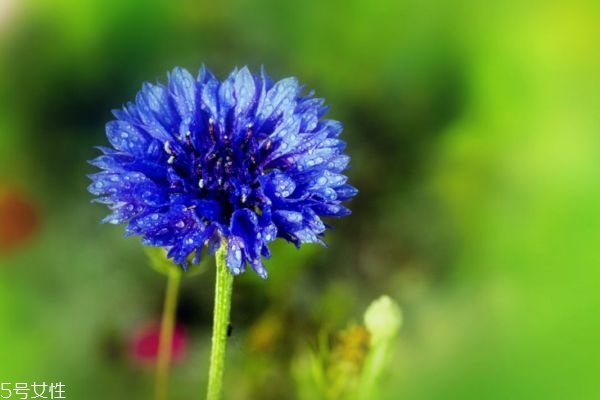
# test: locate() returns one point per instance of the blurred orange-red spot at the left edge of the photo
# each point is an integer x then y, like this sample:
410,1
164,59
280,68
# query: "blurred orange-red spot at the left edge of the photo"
18,218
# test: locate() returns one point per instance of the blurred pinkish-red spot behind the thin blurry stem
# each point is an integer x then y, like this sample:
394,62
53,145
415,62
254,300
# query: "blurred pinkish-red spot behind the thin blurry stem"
144,343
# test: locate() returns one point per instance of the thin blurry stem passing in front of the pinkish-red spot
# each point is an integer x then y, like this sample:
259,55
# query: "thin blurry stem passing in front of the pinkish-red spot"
167,326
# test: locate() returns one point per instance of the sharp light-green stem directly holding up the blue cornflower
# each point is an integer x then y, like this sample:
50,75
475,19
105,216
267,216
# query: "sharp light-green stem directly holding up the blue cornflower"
223,291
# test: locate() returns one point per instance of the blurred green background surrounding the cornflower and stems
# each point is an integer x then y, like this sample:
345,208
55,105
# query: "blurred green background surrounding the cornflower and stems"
473,130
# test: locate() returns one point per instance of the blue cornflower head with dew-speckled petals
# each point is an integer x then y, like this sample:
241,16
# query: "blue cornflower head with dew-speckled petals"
199,161
